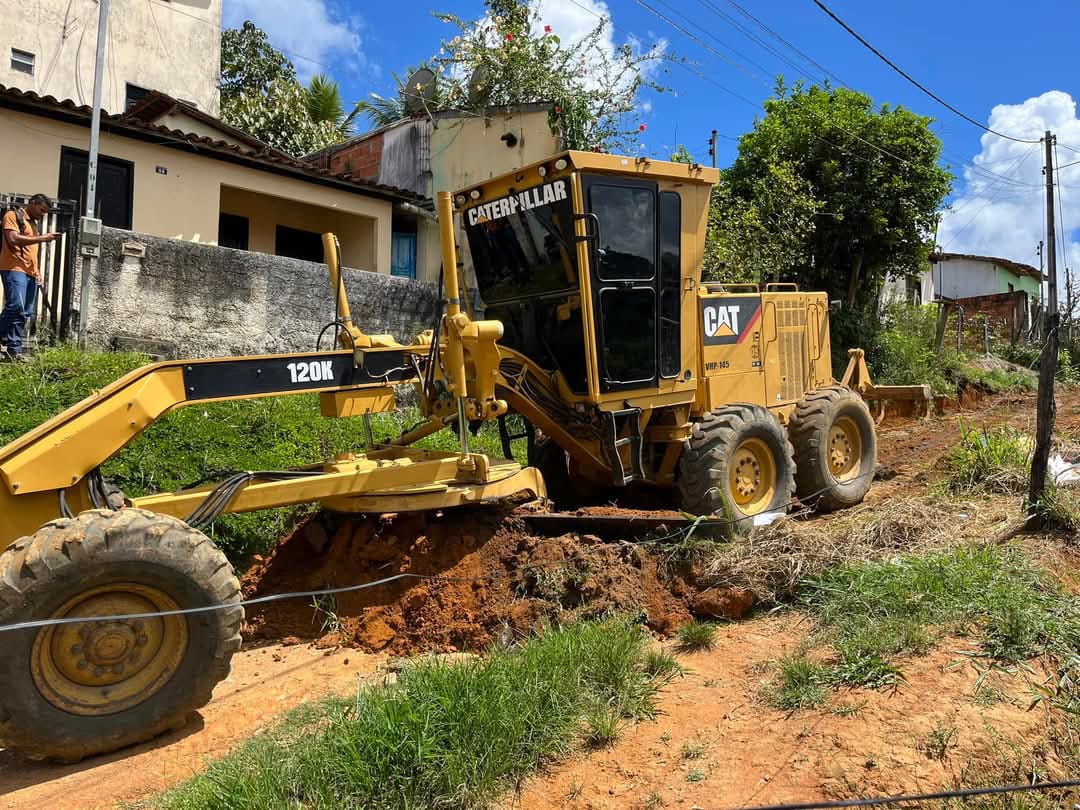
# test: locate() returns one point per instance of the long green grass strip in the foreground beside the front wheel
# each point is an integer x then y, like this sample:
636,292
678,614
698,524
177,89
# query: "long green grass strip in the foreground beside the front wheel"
443,735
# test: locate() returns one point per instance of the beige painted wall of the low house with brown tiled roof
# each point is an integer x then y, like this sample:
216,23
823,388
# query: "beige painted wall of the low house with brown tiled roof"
184,202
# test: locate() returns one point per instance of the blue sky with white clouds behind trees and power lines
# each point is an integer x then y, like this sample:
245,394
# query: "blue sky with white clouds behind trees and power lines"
992,59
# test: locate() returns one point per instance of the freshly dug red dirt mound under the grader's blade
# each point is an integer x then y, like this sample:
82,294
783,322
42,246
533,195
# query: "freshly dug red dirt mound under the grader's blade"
493,580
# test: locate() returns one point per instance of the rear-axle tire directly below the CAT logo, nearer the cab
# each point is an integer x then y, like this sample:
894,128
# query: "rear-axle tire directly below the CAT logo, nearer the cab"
738,464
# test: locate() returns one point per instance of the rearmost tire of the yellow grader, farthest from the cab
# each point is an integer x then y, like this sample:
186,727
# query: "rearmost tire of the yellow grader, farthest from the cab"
835,449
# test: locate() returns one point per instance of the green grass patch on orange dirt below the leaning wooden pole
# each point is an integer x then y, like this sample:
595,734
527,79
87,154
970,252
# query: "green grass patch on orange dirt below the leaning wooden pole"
872,614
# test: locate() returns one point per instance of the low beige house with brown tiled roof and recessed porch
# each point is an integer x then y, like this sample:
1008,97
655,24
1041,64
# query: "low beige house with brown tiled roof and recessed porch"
169,169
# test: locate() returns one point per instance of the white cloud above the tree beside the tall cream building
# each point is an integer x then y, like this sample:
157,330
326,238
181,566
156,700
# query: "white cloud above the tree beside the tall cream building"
307,31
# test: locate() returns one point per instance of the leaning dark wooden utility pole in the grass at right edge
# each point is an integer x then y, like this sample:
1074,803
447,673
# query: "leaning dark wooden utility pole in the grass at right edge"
1048,361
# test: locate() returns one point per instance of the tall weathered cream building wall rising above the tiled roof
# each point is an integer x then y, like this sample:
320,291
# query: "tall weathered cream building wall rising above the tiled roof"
152,44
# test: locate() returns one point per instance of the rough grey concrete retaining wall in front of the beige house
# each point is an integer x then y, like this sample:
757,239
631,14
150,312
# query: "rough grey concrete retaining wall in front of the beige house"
187,300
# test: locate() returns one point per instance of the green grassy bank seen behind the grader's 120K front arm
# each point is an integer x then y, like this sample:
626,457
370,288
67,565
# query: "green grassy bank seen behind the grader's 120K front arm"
199,442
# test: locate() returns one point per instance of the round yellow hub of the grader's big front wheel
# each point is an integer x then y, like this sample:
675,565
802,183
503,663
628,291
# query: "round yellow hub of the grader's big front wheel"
103,667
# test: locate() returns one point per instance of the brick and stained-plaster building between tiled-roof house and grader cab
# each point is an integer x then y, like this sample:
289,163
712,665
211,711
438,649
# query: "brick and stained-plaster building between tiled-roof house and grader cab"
444,152
